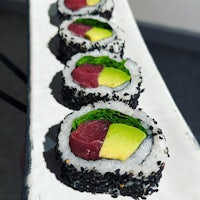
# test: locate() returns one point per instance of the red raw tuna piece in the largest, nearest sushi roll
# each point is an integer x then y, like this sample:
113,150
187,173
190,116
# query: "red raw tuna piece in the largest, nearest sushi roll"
87,139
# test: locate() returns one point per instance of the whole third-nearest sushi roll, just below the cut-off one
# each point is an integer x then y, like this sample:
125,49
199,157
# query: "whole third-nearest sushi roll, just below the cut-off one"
86,34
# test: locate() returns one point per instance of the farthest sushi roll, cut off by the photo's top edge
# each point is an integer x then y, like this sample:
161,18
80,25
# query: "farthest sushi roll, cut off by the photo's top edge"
71,8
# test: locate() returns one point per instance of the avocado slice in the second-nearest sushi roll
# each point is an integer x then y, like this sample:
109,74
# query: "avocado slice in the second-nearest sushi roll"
113,77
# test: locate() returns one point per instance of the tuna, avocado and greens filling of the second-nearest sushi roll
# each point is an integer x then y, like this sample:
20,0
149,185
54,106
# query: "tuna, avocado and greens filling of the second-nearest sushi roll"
92,72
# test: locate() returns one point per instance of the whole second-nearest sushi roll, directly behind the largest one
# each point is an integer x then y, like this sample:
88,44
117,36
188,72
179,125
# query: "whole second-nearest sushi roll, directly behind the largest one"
100,75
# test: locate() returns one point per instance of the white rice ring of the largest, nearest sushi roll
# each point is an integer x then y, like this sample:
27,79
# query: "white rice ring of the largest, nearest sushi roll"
145,159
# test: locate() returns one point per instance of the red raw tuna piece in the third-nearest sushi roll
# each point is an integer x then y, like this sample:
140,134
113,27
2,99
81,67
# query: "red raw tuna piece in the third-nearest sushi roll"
79,29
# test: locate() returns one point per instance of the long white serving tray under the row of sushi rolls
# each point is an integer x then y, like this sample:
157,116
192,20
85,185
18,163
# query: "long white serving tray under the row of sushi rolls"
181,177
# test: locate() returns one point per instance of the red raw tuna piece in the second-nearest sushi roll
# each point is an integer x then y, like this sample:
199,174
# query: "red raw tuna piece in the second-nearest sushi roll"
86,75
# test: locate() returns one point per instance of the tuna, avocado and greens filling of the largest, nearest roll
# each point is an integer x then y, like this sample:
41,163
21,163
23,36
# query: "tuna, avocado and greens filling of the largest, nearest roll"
103,134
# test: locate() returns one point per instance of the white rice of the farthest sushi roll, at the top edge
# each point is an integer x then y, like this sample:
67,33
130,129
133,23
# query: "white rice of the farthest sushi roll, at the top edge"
102,6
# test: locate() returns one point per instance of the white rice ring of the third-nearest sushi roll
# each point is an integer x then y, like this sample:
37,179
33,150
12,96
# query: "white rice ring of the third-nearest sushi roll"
114,43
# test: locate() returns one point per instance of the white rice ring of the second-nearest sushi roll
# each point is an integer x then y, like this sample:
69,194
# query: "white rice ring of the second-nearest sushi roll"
128,89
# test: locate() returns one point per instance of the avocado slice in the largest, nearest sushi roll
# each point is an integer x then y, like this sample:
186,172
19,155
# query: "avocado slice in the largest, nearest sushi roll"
121,141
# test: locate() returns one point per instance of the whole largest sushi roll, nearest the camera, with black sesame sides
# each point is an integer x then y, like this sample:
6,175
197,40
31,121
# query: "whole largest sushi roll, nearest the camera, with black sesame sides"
112,149
